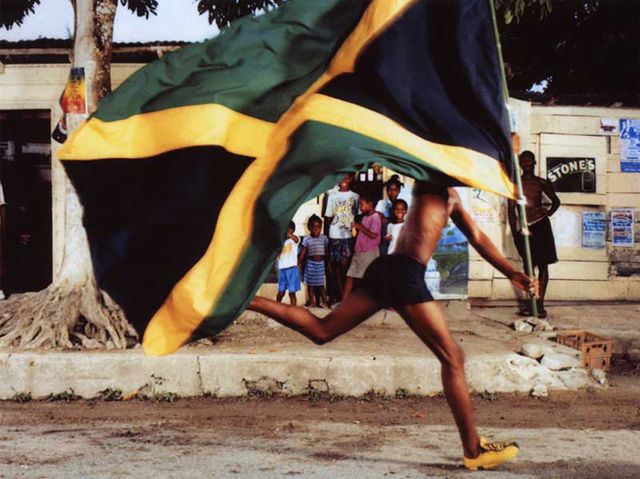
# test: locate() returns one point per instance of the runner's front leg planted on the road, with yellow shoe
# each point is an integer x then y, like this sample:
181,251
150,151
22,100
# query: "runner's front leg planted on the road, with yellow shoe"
428,322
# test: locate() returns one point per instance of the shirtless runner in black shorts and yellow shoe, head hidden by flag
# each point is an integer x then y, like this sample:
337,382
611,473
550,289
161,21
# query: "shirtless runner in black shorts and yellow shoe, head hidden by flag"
397,281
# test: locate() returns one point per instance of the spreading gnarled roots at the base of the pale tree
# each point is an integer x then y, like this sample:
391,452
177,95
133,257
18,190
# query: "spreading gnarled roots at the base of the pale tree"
64,316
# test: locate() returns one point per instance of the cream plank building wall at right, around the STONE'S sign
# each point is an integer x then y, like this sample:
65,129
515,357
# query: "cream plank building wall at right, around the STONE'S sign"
611,273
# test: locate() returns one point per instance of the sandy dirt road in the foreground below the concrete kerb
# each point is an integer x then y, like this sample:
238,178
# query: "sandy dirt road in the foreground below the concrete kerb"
588,434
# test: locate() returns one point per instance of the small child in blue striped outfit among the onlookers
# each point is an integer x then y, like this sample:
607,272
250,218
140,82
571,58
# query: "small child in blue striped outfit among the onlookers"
314,250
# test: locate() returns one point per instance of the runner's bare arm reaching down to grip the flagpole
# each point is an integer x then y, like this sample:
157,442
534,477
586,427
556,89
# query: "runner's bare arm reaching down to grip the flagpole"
483,245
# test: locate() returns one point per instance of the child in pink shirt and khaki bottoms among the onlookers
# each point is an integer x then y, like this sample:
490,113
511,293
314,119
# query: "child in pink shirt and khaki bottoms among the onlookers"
367,246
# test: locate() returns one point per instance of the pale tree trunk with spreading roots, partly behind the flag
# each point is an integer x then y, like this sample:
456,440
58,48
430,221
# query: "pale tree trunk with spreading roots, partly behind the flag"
73,311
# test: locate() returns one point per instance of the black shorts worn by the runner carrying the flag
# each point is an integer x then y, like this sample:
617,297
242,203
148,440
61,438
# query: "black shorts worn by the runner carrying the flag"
396,280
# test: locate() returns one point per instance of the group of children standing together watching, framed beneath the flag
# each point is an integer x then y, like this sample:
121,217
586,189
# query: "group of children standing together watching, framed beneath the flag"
341,257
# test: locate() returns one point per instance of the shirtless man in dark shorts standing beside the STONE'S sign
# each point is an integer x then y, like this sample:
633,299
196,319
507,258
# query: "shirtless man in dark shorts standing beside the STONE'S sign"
543,248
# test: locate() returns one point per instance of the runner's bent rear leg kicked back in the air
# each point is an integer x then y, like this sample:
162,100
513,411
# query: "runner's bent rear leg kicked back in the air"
354,310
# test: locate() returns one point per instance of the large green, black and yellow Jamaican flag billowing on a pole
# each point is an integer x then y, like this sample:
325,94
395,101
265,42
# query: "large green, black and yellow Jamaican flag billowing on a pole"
190,171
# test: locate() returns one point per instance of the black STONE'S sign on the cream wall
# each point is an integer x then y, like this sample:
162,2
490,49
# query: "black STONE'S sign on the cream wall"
572,175
